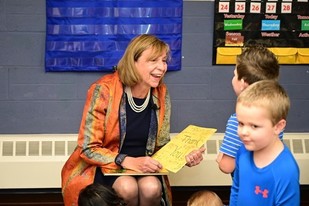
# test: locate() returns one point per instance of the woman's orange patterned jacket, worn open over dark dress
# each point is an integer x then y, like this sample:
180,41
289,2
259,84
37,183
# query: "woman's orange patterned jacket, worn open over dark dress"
99,137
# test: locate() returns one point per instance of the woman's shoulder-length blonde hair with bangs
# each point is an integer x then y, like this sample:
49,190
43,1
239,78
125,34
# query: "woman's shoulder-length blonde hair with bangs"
126,66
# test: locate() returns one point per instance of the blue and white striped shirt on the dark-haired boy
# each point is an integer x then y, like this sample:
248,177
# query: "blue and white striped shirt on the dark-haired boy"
231,141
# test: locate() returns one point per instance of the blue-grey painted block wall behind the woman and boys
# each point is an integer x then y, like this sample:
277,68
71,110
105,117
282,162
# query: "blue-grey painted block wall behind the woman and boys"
32,101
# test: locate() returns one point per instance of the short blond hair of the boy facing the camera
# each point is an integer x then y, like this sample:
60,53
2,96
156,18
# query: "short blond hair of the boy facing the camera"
268,94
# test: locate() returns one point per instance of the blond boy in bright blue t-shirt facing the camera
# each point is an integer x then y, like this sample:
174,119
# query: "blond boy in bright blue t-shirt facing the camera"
266,172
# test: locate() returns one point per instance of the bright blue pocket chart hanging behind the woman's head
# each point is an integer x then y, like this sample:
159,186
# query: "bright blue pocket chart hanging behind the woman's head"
92,35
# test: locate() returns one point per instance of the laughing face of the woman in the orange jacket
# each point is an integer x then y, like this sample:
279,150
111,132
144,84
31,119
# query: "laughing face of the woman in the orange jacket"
151,70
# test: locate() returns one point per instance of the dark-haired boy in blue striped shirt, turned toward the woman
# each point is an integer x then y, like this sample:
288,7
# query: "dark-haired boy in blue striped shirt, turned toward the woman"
253,64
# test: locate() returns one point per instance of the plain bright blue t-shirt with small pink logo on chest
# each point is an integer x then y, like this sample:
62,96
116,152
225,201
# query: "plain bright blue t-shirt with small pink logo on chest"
276,184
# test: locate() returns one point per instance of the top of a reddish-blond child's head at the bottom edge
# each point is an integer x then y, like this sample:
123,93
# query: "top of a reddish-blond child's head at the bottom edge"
204,198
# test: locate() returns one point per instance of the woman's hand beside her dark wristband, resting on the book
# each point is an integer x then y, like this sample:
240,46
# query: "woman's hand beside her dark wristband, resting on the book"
142,164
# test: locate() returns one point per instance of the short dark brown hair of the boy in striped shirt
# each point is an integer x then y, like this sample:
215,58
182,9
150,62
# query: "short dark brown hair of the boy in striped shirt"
257,63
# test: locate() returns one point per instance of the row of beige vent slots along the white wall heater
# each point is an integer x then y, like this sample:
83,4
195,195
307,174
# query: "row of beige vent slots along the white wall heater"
10,146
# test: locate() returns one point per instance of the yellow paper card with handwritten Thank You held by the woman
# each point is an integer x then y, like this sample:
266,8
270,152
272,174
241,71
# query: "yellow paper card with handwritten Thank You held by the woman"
172,155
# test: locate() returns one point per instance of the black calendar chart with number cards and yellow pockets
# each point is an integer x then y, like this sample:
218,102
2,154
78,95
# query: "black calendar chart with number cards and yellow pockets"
280,25
